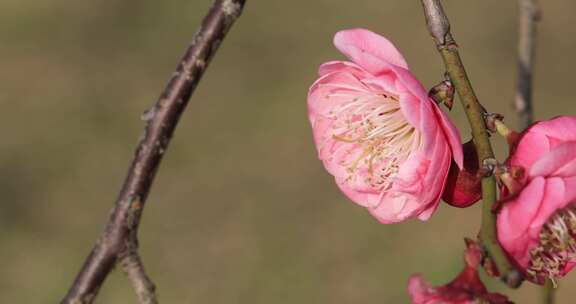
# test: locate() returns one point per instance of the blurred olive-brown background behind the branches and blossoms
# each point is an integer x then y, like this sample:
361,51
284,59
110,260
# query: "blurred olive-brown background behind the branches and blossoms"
241,211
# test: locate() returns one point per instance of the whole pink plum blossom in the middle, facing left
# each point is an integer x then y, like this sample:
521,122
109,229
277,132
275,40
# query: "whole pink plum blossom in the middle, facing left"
386,143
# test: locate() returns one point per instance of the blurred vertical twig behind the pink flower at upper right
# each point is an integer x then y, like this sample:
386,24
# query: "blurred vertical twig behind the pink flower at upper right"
529,15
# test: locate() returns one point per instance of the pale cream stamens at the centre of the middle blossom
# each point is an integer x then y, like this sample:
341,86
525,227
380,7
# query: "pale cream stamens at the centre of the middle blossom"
379,137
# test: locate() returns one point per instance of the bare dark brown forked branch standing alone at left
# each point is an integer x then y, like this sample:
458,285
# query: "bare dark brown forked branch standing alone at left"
119,239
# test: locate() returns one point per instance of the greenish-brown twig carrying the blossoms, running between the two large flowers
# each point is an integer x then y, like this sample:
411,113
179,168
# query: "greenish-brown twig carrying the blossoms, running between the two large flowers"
439,28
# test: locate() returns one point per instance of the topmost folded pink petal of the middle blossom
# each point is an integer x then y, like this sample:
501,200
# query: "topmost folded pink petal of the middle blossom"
363,47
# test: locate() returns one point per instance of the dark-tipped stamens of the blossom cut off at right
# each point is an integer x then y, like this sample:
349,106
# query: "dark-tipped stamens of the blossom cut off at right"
557,246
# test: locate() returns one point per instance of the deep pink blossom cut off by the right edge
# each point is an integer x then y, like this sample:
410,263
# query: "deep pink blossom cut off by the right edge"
537,226
